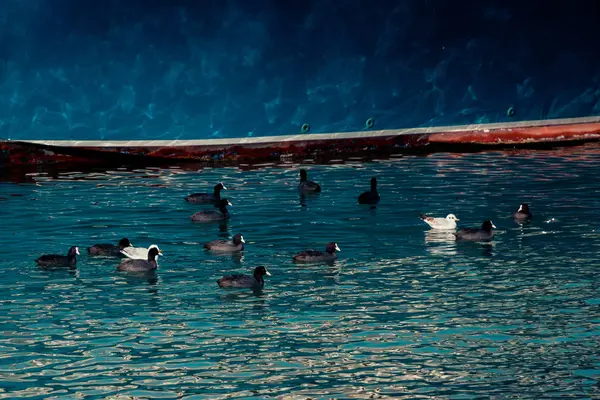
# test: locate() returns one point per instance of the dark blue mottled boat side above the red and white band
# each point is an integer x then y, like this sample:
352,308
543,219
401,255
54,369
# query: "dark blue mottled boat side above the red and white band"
231,68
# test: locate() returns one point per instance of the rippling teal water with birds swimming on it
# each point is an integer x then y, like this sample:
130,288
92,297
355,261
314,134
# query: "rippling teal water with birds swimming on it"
403,313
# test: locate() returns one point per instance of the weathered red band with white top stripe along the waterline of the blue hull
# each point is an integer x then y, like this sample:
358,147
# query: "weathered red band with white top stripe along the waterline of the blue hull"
302,148
